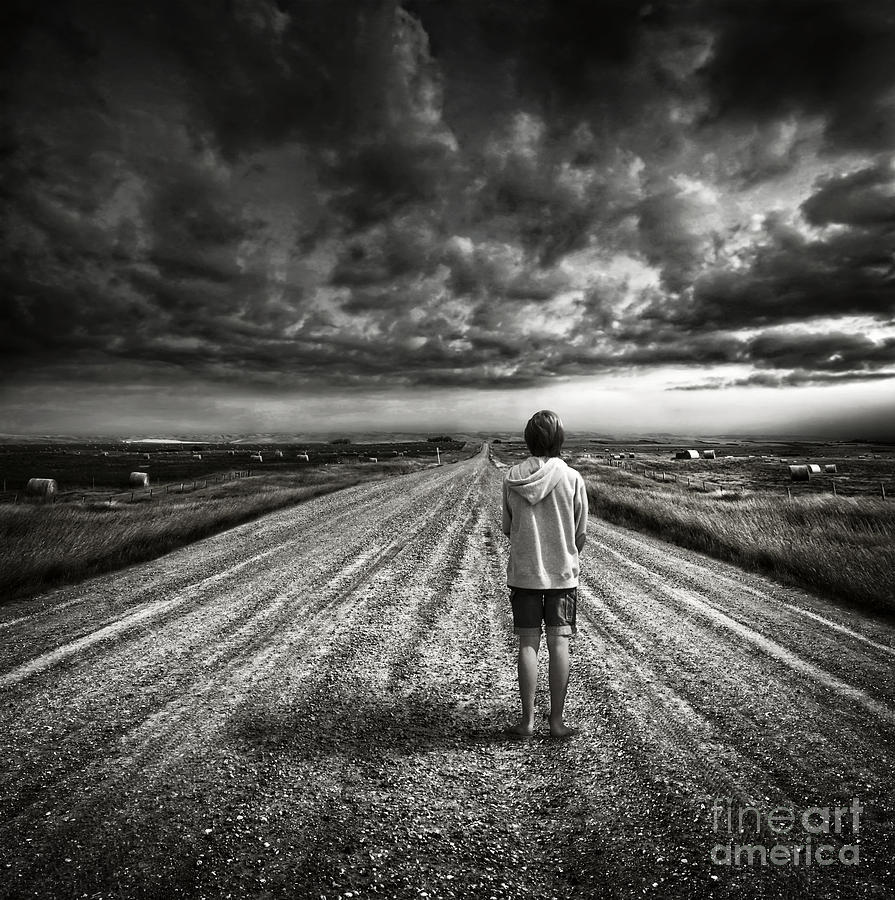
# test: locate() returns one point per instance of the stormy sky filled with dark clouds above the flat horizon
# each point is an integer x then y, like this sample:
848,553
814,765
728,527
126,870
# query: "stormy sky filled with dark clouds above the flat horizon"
312,214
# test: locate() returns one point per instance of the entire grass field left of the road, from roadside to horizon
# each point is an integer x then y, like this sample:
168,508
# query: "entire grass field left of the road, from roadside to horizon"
45,545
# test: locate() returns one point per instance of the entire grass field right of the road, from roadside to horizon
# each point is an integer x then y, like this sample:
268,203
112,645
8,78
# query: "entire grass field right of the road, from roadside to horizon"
841,547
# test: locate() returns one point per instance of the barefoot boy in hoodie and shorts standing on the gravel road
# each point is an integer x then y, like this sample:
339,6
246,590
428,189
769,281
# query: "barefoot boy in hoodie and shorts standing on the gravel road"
545,518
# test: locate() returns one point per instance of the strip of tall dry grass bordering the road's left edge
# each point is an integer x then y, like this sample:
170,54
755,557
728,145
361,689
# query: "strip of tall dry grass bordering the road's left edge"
44,546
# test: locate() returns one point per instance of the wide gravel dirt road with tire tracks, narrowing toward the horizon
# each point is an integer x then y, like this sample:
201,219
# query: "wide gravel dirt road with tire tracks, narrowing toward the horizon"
311,705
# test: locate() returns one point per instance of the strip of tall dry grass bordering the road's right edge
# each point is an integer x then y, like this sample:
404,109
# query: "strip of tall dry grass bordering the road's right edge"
842,548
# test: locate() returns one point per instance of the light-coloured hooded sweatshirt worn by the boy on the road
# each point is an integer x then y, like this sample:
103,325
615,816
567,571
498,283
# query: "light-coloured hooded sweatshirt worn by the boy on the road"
544,510
